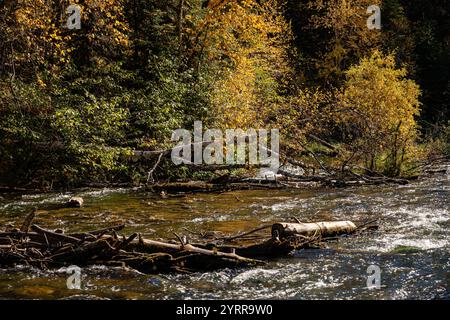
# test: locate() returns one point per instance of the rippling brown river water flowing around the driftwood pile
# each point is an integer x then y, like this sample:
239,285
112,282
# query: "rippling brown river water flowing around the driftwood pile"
411,247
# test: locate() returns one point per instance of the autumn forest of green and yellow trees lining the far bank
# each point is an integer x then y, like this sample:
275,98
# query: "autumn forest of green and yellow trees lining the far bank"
76,103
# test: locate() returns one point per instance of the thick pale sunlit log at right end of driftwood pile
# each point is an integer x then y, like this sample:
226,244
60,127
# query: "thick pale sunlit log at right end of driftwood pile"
324,229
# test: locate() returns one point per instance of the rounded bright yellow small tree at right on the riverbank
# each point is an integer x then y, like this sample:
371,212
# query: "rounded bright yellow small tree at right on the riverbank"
377,109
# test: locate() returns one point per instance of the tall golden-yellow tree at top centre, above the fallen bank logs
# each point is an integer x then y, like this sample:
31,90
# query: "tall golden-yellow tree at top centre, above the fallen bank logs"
244,44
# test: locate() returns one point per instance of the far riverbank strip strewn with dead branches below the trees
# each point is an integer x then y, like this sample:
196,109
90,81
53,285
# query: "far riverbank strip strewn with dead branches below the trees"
287,178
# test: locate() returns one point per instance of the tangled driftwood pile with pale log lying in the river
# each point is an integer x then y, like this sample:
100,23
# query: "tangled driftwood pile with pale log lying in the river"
33,245
